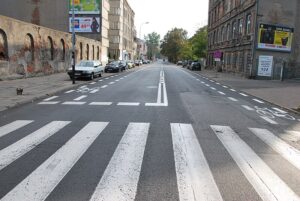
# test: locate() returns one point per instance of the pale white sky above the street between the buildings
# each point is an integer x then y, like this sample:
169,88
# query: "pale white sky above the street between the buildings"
163,15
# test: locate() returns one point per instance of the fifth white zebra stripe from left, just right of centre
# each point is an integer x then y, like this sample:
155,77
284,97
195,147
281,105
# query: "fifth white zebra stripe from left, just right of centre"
194,178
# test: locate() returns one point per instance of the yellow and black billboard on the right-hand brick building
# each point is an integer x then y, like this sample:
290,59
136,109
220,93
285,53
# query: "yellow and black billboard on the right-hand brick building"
273,37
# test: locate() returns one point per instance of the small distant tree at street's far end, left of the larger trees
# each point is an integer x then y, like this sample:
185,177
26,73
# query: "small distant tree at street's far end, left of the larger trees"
152,41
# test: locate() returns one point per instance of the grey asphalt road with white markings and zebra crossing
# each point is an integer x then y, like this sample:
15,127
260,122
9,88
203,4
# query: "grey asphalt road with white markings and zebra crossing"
158,133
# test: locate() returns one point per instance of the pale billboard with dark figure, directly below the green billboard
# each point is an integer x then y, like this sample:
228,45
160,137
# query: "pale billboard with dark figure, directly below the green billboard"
86,24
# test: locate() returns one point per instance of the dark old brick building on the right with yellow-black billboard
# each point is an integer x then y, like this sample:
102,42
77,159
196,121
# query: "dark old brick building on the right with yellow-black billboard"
244,35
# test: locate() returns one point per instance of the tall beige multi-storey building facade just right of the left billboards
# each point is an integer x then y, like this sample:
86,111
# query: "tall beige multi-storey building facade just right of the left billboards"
121,32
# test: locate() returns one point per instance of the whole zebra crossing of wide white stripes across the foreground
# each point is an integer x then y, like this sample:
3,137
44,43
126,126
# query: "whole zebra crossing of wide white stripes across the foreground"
195,179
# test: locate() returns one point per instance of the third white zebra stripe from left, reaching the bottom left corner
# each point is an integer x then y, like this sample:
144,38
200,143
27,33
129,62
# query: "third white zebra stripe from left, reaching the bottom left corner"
39,184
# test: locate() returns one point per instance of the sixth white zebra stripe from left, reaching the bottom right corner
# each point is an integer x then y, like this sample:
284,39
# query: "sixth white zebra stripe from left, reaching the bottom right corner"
266,183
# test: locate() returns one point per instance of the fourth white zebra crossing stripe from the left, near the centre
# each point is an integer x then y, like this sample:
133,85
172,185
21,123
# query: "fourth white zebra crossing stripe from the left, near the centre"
120,179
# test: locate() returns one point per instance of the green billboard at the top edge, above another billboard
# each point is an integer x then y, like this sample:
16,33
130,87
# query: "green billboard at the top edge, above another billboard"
86,6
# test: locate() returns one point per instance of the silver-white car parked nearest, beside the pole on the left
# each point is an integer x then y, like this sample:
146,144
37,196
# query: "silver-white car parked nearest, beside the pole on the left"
87,69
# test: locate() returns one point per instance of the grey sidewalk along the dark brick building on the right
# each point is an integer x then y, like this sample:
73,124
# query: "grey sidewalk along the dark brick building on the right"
285,94
